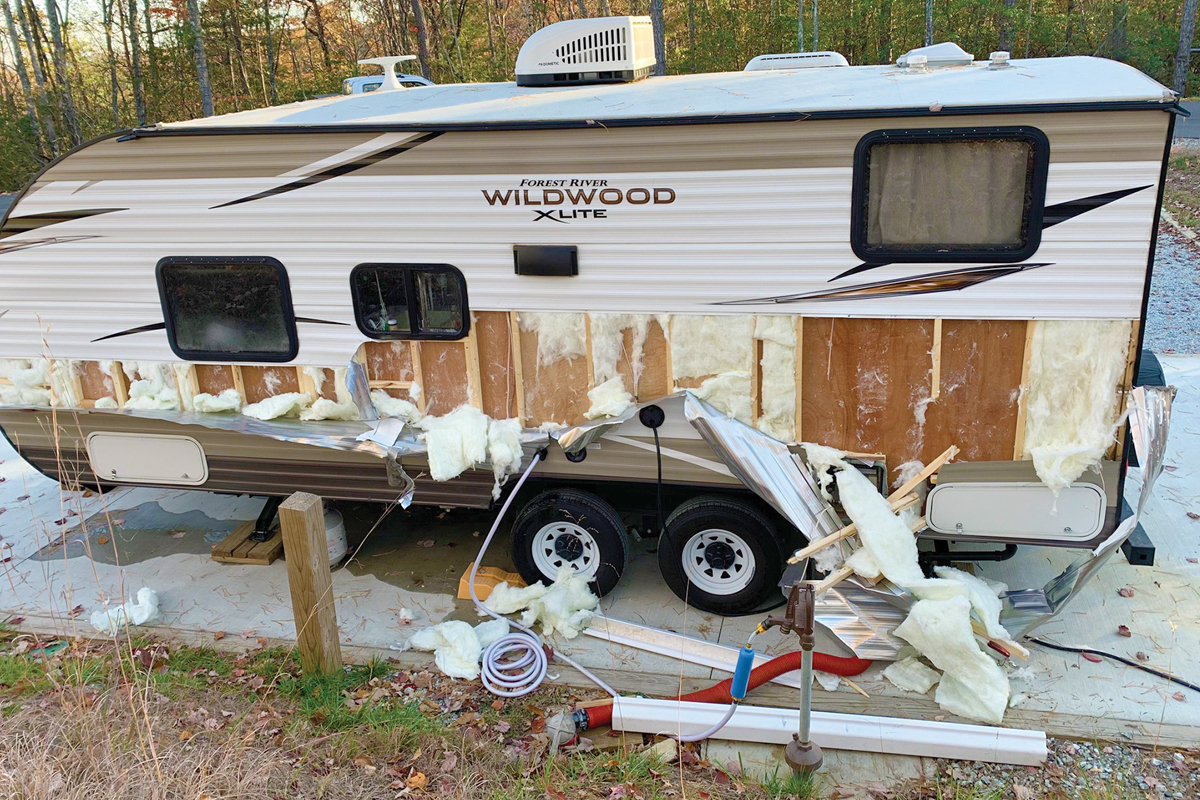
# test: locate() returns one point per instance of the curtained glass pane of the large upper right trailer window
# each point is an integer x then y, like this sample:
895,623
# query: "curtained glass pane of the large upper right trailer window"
949,196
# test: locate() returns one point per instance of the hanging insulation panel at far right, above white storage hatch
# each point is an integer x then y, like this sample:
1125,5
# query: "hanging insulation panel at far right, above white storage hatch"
1076,371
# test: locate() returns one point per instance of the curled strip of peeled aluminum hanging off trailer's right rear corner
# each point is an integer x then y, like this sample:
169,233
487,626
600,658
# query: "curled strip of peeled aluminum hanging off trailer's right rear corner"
1150,420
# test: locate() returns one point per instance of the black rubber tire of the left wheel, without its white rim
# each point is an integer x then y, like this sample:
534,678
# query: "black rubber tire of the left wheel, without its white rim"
596,516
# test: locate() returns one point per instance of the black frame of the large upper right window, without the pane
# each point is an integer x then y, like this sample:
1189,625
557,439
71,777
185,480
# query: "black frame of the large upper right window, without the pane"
1036,194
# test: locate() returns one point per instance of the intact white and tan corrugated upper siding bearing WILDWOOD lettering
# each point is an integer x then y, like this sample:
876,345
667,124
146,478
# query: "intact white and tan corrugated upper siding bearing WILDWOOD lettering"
730,234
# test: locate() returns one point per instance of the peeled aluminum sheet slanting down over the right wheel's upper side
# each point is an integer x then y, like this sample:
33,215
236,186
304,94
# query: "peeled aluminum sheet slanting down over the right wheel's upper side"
766,467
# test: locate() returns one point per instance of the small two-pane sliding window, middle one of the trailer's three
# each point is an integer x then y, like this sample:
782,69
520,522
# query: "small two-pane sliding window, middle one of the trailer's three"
410,302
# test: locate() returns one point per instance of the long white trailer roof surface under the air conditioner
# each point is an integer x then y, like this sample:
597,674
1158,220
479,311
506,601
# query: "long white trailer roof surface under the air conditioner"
827,92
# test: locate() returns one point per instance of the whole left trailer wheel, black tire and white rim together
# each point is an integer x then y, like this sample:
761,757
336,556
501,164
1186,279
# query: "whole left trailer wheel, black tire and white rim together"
571,528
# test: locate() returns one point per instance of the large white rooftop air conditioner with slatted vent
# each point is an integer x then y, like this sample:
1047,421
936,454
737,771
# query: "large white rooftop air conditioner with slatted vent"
609,50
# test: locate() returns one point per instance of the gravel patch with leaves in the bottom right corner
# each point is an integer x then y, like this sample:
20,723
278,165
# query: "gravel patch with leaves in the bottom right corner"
1073,771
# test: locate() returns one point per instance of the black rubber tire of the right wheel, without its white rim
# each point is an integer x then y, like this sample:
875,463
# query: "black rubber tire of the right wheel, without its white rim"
746,524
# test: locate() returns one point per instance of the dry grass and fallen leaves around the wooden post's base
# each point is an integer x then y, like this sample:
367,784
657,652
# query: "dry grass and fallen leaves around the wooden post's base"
136,723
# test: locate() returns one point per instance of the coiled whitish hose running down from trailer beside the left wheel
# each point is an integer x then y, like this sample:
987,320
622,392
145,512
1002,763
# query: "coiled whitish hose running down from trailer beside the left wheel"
517,665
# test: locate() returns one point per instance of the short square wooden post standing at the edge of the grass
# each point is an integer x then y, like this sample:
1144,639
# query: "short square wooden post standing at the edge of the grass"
303,526
